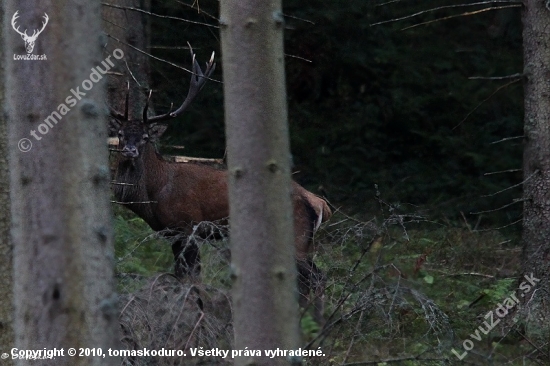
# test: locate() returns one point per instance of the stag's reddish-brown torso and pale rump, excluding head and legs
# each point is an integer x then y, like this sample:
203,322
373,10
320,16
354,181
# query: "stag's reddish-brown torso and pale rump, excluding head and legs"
176,196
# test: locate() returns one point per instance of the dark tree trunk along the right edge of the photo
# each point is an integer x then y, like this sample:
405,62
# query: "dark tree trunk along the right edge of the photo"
536,165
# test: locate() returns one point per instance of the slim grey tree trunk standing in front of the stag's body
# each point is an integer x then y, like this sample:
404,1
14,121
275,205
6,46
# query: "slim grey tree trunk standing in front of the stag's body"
258,153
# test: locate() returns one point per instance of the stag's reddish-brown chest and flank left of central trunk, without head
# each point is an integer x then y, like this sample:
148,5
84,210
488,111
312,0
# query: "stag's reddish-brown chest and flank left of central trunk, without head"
175,191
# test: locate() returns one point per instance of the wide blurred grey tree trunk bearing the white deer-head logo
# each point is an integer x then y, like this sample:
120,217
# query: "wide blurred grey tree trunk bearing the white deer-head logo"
61,216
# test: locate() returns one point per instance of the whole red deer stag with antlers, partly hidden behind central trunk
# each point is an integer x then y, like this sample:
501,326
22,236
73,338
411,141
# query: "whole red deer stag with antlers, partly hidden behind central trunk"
173,197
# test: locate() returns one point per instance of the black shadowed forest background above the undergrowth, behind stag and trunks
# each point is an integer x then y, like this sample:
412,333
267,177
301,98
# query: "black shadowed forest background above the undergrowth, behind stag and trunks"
414,111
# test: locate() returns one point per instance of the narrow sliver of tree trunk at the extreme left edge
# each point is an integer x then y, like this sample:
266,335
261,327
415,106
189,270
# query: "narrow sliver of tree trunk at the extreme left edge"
6,249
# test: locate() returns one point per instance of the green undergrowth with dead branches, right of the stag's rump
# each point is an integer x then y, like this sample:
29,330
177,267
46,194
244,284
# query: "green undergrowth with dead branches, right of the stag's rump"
417,289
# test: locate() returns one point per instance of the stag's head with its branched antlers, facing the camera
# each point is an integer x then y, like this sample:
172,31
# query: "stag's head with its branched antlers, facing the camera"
134,134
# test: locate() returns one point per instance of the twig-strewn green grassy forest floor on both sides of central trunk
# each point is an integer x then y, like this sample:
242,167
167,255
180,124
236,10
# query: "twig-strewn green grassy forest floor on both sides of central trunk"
404,291
